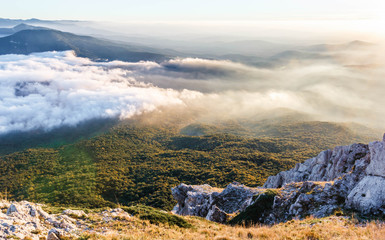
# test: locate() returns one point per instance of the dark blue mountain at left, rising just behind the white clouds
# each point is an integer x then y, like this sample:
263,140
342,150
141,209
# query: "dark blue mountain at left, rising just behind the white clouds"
41,40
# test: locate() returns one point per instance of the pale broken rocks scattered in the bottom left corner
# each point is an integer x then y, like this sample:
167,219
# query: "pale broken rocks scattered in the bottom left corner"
25,220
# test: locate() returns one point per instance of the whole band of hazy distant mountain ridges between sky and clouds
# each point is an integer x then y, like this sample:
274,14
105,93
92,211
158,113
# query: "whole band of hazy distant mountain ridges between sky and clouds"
101,48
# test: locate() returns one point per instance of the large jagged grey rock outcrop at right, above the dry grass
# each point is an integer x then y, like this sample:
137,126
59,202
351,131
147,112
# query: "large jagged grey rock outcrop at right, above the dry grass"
347,177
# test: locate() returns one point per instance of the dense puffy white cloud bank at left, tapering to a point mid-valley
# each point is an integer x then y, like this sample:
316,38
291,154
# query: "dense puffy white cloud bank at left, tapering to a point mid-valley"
47,90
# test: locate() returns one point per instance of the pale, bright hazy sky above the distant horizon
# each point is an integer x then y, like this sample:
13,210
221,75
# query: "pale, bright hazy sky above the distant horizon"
170,10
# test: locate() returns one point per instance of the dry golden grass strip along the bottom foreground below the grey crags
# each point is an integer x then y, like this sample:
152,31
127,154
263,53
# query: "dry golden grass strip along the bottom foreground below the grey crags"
310,228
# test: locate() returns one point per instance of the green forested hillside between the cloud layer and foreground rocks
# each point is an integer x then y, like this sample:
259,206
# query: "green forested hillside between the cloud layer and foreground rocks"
137,163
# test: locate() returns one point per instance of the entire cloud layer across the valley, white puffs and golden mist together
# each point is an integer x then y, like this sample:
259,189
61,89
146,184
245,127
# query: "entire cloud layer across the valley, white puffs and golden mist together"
48,90
